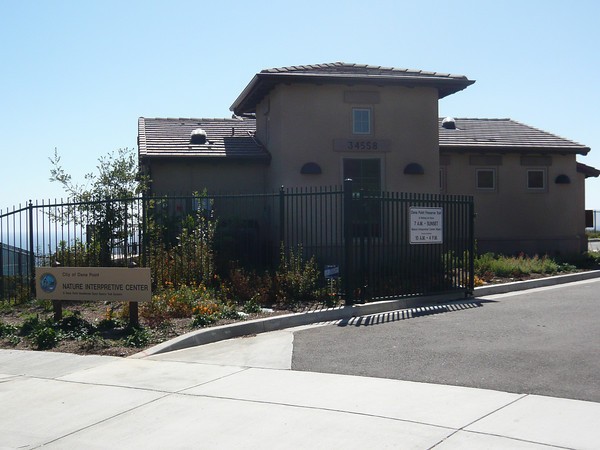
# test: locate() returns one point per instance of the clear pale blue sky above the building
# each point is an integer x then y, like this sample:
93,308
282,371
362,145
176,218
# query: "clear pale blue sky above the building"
76,75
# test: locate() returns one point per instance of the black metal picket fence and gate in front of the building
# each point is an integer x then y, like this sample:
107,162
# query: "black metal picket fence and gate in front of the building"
376,245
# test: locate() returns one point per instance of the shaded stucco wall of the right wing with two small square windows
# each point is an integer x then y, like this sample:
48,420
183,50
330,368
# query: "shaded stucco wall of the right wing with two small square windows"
513,218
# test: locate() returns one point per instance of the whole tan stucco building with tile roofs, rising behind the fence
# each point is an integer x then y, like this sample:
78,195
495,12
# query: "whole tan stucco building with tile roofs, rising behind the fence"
314,126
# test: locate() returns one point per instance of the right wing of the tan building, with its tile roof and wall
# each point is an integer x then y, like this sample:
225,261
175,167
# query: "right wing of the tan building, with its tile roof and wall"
529,190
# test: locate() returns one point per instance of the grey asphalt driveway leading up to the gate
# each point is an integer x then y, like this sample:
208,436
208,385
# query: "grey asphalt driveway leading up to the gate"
544,341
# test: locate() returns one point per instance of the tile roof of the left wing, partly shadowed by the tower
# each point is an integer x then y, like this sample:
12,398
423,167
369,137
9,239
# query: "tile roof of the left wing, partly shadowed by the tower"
226,139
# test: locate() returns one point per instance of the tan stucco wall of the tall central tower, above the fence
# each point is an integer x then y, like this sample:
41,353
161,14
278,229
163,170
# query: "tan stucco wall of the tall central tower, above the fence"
299,123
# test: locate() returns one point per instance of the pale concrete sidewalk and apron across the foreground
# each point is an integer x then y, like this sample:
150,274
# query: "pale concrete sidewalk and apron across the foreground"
241,393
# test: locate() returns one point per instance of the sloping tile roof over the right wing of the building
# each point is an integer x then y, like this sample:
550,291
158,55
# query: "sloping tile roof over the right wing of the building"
503,135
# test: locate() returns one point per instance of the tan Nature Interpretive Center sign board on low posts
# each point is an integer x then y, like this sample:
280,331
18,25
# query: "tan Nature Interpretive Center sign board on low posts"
93,284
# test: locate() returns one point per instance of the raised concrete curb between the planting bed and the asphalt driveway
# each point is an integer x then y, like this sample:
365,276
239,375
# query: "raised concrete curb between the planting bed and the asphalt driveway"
215,334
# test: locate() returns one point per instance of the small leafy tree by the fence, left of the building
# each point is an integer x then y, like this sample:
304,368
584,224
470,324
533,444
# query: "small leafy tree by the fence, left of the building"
99,202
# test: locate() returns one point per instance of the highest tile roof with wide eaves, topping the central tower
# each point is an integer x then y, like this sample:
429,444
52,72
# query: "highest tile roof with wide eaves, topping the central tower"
338,72
